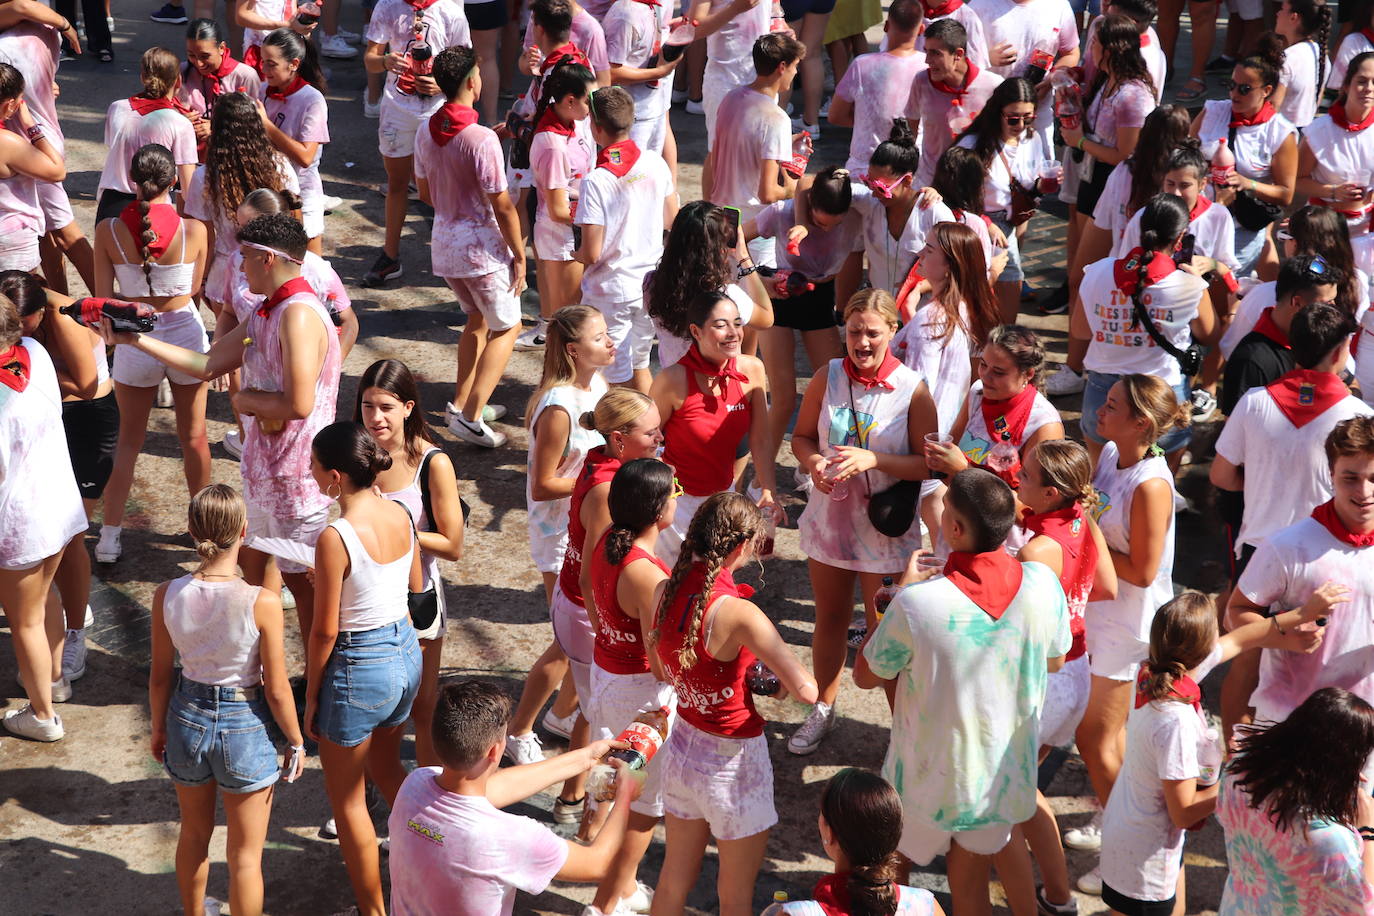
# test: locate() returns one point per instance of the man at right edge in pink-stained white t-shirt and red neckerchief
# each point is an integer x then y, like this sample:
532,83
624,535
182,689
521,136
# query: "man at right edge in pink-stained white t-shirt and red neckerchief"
1328,551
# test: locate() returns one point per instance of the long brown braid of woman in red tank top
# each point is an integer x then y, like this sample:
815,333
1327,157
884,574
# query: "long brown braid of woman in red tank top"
723,523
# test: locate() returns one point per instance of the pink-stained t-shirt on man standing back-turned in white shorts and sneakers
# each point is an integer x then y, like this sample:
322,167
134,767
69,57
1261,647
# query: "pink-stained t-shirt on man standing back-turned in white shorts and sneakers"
466,241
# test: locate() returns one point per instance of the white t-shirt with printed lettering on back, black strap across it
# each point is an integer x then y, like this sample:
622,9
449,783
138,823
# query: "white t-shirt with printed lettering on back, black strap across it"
1120,345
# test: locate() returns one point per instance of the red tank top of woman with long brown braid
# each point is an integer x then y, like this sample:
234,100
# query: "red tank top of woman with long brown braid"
711,694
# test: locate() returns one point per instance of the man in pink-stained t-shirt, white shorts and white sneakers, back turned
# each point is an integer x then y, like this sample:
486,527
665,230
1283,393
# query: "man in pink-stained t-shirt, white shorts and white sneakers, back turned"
476,244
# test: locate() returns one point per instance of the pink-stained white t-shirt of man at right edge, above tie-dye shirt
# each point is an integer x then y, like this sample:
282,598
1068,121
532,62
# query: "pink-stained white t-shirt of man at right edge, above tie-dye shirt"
1281,576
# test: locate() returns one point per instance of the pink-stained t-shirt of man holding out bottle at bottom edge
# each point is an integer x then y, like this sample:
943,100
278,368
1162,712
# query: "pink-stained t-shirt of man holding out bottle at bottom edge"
461,856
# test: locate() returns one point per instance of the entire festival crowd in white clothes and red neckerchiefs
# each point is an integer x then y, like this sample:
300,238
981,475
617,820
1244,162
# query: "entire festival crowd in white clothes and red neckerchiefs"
1016,584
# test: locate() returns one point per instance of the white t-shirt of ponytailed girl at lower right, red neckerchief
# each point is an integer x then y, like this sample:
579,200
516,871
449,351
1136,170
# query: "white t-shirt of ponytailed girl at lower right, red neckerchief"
1142,851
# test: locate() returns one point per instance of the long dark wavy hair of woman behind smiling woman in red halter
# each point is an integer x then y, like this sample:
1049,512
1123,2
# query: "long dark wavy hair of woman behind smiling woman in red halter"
699,257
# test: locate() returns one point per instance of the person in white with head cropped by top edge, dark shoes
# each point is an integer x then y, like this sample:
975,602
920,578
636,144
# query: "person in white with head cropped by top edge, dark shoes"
407,101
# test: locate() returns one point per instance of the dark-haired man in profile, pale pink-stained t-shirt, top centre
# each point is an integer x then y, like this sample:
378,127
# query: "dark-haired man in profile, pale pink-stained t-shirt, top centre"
755,139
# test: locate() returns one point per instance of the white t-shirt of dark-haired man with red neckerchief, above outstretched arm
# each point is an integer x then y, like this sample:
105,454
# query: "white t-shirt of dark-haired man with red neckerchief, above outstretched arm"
1285,468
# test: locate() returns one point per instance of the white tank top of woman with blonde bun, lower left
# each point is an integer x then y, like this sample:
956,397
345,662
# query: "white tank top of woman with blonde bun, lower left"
214,631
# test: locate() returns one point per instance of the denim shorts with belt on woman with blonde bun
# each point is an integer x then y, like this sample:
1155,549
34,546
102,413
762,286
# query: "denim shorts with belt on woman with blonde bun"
216,735
